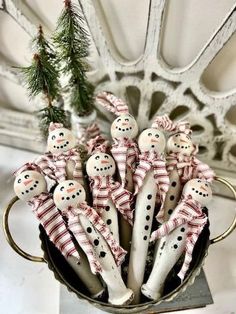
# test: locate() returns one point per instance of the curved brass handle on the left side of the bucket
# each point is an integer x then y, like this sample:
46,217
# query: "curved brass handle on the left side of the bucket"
9,237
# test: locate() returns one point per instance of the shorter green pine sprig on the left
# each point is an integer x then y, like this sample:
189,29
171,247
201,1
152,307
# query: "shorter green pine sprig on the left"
42,77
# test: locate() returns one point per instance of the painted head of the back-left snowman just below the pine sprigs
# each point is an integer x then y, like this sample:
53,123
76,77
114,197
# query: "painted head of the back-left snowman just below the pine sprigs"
60,140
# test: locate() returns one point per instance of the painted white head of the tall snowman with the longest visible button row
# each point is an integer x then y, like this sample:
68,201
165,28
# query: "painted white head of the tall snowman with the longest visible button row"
152,140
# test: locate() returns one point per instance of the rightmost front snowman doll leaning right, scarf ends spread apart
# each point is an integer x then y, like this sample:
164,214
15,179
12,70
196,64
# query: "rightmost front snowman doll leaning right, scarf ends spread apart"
180,233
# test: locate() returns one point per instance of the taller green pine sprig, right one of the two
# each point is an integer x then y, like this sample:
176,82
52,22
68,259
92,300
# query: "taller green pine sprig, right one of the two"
71,40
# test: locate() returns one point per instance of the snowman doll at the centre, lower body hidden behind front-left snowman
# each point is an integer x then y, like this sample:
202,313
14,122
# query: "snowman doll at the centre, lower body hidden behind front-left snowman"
108,195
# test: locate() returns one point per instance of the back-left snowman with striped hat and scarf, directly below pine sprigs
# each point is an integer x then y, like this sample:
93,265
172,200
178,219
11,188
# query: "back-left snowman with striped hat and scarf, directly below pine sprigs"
62,161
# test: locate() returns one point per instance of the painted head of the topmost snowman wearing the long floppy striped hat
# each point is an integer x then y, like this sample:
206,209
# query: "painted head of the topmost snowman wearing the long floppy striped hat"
124,126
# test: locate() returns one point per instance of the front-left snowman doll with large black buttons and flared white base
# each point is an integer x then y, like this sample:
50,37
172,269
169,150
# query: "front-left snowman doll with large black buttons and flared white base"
95,238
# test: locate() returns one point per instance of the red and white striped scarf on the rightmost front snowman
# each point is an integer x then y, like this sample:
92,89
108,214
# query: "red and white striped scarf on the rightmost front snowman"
188,212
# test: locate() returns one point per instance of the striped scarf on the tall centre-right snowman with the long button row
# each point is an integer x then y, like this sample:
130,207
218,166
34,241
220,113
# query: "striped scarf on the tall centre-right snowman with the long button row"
152,160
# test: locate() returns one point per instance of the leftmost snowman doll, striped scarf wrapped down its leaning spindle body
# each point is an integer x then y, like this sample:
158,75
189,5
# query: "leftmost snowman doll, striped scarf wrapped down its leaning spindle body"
30,186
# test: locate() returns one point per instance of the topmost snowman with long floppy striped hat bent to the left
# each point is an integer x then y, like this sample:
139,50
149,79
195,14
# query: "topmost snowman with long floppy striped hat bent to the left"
123,131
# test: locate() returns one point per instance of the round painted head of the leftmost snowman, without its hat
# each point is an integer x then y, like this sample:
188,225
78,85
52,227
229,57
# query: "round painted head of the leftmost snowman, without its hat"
29,184
